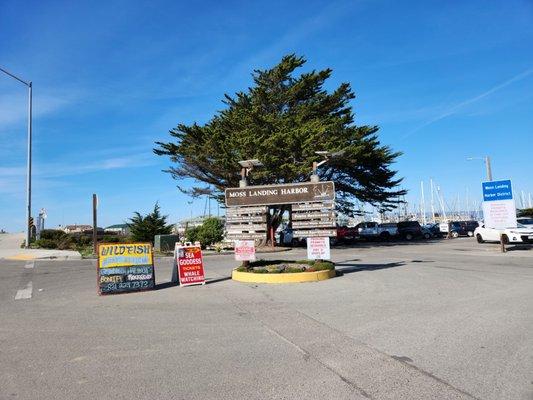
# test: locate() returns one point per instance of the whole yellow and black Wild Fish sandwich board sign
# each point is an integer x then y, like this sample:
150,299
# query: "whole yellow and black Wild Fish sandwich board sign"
125,267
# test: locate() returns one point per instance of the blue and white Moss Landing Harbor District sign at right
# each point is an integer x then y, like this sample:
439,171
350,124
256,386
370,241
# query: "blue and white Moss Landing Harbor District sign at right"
499,208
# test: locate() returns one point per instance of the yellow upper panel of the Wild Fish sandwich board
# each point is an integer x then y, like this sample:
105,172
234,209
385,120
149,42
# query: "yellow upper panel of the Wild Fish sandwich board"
124,254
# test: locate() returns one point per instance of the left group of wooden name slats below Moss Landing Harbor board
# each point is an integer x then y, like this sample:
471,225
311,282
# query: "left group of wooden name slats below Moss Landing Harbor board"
246,223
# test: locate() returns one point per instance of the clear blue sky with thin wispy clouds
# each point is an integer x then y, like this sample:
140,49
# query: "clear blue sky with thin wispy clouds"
443,80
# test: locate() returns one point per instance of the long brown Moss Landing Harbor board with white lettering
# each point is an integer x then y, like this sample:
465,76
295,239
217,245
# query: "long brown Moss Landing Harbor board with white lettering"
280,194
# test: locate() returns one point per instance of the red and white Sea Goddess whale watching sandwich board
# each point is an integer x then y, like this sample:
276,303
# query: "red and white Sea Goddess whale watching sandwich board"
188,265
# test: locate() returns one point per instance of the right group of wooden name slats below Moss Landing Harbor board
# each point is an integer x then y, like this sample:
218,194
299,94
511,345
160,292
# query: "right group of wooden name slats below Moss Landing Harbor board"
315,219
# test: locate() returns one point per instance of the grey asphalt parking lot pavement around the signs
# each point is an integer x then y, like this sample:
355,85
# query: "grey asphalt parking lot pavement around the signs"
428,320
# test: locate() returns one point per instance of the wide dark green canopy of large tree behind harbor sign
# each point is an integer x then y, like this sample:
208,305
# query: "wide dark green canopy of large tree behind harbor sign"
282,120
